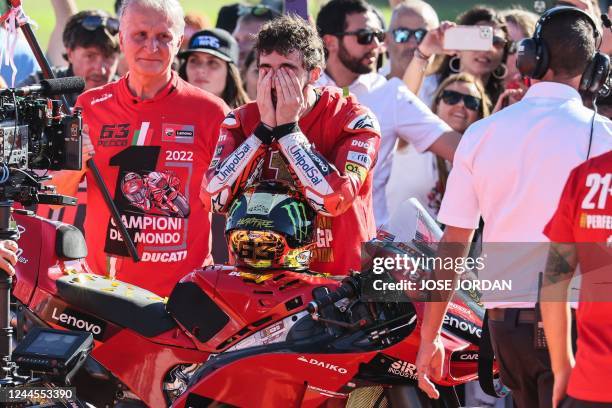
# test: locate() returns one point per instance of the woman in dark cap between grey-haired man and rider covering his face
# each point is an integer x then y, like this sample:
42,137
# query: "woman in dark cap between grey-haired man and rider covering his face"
210,62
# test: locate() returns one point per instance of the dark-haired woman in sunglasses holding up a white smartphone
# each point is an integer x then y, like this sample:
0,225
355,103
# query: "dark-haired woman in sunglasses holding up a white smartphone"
489,67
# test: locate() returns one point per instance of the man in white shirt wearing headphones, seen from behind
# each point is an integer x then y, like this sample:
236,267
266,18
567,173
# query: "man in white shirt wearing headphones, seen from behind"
510,168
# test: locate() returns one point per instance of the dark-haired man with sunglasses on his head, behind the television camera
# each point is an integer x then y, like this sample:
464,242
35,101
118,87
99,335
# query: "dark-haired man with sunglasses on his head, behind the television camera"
92,50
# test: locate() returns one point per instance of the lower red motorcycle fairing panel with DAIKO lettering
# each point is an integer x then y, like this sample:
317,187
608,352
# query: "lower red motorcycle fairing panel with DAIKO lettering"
268,379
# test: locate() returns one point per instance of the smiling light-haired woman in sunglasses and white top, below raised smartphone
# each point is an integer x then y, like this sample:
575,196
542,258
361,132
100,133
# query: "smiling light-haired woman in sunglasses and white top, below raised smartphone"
460,100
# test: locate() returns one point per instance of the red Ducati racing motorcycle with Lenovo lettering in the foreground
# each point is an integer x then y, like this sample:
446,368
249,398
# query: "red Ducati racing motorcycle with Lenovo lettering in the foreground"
226,335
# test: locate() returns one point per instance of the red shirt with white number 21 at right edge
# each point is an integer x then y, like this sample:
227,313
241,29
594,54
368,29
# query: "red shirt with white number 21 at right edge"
584,216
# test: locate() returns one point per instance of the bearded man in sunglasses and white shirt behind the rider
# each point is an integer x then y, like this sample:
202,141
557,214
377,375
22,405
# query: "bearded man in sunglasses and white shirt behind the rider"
353,37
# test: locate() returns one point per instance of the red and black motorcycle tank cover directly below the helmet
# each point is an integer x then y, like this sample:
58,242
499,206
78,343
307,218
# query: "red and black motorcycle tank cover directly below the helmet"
234,304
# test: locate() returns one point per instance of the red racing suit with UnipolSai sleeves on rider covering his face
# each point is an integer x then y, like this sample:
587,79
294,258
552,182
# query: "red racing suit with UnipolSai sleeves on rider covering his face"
328,156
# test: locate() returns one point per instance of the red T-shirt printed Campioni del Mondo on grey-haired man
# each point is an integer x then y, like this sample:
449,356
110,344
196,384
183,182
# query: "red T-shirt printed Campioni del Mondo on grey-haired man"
152,155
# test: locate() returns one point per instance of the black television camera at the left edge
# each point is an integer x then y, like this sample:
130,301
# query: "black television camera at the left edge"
37,135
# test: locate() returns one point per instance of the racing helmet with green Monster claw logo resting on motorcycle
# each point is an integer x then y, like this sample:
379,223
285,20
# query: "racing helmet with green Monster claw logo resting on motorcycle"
271,226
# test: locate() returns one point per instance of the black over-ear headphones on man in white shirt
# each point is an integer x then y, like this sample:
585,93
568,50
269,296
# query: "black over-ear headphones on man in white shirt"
533,56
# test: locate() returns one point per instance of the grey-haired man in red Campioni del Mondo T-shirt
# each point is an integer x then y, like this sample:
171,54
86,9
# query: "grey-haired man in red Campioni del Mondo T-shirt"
153,135
